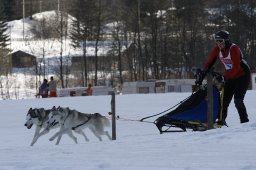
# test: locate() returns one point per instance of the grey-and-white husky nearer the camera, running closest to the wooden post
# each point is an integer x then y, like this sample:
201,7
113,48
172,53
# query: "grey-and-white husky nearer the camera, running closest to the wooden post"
77,121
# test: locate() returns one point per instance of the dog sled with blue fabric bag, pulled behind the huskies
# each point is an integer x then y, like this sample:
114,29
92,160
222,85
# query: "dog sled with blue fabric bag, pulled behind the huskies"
192,112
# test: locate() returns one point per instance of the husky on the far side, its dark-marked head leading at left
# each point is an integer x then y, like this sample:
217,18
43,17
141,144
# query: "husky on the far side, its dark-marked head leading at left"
39,117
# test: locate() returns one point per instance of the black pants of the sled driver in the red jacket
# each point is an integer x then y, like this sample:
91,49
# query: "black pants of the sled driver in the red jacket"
236,88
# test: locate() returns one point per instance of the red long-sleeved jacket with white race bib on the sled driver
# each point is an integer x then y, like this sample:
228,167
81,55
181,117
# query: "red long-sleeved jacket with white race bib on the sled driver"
230,57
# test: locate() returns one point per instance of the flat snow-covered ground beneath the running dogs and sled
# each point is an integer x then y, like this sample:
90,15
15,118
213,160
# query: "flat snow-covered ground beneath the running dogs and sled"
139,146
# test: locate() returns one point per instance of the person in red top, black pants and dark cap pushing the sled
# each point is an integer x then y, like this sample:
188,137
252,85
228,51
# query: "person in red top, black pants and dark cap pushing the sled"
237,74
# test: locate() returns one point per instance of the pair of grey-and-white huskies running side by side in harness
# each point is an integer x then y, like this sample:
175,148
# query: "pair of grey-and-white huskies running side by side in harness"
68,121
